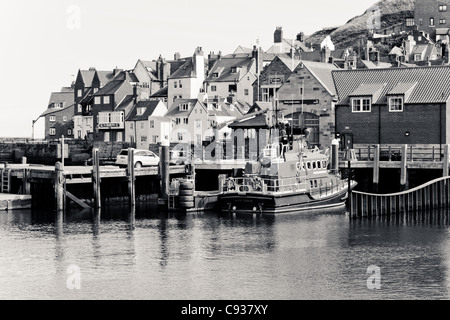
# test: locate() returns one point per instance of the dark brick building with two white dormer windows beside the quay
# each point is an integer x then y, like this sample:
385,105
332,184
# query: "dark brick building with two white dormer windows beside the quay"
393,106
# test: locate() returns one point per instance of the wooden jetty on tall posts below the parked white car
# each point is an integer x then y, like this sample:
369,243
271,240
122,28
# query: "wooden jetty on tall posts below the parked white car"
50,187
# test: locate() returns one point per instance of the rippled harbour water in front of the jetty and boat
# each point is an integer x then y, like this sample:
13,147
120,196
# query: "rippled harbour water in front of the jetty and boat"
212,256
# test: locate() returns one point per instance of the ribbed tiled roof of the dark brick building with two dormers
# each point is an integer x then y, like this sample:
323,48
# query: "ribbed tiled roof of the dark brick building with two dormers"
432,83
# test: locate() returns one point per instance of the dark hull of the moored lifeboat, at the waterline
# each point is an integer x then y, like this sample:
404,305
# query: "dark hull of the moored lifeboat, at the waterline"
279,203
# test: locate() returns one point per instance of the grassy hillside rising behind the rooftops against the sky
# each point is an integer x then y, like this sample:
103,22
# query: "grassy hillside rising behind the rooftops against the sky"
392,12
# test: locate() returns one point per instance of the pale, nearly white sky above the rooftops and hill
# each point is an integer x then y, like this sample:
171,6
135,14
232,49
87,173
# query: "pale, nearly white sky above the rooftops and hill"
44,43
